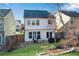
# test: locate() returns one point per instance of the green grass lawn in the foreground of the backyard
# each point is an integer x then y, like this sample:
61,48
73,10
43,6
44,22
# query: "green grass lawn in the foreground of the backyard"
31,50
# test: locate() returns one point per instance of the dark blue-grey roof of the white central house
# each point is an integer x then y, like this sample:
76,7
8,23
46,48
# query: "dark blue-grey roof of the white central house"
36,14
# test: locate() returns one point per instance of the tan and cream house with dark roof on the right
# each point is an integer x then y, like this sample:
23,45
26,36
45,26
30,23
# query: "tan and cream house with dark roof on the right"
71,21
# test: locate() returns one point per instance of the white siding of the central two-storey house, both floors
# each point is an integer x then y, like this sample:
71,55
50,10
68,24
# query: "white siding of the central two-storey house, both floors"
43,27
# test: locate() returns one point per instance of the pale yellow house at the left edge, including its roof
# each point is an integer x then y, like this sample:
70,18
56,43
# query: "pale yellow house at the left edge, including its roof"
7,27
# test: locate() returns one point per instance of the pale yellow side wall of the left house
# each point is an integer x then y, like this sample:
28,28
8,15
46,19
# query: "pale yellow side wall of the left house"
9,24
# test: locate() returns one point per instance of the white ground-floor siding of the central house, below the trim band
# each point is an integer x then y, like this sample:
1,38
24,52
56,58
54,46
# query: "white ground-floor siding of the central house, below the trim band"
42,34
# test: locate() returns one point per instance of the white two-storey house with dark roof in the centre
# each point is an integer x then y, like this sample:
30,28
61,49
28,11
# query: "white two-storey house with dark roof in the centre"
39,24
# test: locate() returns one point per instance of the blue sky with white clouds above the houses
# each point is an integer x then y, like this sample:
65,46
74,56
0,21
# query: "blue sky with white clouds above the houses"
18,8
